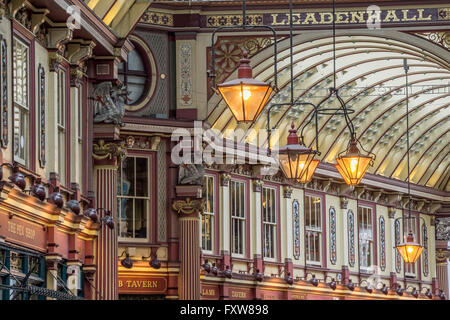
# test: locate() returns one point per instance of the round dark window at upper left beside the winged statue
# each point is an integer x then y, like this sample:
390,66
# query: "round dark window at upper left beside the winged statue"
134,75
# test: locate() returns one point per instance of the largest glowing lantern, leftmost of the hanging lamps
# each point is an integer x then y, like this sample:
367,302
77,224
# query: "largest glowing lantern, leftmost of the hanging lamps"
245,96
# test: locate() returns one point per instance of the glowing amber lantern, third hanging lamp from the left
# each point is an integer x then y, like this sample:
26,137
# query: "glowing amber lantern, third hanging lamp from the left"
353,165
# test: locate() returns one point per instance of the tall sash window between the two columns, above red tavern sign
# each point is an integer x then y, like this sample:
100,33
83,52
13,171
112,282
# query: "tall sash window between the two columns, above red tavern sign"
133,199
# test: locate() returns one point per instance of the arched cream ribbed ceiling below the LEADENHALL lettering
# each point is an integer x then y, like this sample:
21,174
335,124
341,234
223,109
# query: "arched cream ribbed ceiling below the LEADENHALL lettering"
371,80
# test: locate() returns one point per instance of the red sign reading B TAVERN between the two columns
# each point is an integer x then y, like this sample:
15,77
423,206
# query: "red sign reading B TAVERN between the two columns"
145,285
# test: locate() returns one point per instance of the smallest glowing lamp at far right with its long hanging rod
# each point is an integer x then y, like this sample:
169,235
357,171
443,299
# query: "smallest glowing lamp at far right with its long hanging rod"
409,249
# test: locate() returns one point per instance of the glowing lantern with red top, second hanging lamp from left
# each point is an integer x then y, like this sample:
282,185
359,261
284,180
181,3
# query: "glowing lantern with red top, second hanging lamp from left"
295,158
